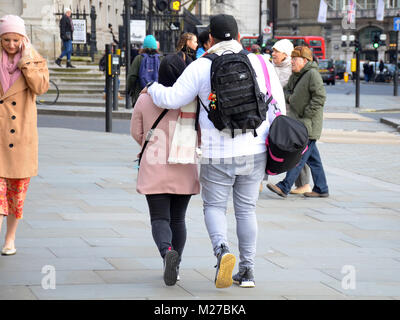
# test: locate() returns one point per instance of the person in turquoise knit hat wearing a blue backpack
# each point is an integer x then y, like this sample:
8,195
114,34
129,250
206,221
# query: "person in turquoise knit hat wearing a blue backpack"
144,68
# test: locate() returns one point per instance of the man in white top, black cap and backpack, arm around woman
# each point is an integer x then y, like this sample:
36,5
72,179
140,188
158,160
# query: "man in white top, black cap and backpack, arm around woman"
231,87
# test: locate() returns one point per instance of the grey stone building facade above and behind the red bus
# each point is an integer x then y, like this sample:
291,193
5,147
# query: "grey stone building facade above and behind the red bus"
299,17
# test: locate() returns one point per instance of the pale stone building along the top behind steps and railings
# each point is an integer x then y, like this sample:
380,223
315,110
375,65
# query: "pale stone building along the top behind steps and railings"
42,18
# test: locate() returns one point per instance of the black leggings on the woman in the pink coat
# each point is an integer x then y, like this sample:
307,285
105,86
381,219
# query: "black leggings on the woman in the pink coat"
167,215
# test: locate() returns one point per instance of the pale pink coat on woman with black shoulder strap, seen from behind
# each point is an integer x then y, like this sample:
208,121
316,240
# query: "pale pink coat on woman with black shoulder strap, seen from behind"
156,175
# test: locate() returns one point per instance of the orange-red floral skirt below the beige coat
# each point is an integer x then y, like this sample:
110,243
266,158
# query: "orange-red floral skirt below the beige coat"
12,196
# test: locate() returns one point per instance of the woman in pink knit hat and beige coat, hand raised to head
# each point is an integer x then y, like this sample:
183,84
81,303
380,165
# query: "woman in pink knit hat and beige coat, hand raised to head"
23,75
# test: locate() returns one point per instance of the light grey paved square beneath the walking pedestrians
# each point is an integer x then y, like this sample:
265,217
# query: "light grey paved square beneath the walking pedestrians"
86,231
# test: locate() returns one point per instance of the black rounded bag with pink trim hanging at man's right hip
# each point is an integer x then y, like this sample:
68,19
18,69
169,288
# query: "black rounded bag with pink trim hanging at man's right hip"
286,143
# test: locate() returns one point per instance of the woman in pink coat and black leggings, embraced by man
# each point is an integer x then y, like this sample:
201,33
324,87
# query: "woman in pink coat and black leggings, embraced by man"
168,187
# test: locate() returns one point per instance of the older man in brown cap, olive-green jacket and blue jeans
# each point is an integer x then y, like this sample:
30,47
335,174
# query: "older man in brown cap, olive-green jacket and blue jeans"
306,95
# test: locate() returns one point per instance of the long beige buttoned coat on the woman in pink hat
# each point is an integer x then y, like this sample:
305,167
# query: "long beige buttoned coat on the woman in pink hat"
18,119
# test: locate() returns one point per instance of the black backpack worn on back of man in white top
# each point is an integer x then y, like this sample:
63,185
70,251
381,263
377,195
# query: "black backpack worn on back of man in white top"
236,101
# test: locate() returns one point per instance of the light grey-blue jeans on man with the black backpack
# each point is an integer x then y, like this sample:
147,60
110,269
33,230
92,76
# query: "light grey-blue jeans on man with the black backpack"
243,175
